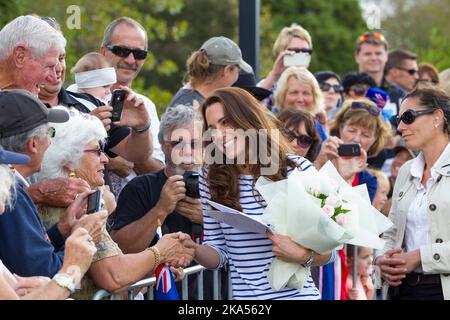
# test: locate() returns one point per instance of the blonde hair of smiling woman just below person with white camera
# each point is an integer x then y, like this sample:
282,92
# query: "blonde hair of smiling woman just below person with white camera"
305,77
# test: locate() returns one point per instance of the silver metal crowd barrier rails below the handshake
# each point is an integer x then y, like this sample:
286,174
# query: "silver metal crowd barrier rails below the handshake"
151,282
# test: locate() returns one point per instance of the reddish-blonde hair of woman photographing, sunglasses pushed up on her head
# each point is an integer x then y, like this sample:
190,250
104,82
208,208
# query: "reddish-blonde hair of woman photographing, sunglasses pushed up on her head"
362,117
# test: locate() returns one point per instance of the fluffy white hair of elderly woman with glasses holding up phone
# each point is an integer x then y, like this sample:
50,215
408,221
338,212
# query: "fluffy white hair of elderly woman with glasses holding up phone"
70,140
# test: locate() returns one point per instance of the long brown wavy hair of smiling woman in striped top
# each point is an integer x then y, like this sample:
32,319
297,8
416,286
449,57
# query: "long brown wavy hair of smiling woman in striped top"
243,111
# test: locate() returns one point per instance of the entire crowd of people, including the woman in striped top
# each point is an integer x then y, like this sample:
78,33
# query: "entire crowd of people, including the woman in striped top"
60,147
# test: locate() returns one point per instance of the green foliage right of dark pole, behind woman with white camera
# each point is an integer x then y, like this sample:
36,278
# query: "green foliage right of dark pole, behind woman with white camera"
333,25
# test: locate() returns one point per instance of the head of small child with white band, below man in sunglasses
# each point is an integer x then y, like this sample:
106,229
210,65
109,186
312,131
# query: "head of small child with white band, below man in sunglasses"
93,75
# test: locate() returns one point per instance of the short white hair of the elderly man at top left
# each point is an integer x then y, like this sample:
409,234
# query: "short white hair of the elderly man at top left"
32,32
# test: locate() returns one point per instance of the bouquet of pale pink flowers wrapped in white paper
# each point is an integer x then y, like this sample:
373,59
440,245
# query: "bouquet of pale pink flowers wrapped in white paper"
319,211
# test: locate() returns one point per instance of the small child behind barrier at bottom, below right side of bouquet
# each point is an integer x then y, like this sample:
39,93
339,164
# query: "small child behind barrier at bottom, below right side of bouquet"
364,288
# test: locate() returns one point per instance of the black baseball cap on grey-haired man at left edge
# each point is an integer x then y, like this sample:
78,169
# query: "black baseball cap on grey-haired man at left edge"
20,112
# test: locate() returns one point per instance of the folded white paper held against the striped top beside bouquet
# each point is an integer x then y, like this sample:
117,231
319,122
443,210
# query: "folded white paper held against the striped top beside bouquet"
237,219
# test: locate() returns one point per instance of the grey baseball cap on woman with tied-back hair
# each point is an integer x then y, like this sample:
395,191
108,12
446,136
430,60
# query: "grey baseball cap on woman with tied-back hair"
223,51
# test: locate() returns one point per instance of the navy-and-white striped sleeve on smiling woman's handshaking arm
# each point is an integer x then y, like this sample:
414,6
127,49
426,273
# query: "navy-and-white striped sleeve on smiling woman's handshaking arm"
212,231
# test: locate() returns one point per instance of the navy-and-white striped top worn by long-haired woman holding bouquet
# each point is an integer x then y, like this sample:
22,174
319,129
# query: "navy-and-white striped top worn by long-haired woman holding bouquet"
249,255
